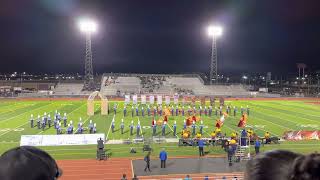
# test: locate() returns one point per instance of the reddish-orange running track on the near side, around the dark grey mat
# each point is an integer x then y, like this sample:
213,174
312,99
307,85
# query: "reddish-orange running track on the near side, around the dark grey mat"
90,169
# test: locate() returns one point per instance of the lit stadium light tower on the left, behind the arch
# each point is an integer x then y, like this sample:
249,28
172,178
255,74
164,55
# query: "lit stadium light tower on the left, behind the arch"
88,27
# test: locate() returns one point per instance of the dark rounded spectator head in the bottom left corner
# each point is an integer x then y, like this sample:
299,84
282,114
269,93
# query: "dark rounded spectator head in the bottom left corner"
28,163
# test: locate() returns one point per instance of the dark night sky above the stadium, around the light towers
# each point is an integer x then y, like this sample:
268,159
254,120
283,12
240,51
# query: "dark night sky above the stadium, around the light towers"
160,36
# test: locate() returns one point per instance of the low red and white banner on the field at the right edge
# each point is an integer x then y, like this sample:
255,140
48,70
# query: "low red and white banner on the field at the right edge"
301,135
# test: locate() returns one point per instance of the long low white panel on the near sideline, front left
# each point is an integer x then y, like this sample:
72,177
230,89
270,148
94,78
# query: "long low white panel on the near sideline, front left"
60,140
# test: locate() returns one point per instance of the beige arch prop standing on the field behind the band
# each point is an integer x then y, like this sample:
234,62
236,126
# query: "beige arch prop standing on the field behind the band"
90,103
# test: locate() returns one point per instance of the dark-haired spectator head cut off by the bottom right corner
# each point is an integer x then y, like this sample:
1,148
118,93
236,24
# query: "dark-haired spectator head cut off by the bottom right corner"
306,167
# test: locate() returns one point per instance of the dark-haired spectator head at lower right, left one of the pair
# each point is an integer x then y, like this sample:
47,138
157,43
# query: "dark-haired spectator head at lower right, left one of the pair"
271,165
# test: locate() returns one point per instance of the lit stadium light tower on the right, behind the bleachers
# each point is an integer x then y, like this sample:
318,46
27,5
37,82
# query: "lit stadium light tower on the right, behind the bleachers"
214,32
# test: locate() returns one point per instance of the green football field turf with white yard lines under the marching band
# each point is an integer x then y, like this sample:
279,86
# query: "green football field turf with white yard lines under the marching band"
275,116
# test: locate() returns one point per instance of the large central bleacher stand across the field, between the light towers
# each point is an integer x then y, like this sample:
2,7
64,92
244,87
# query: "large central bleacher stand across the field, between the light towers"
188,84
